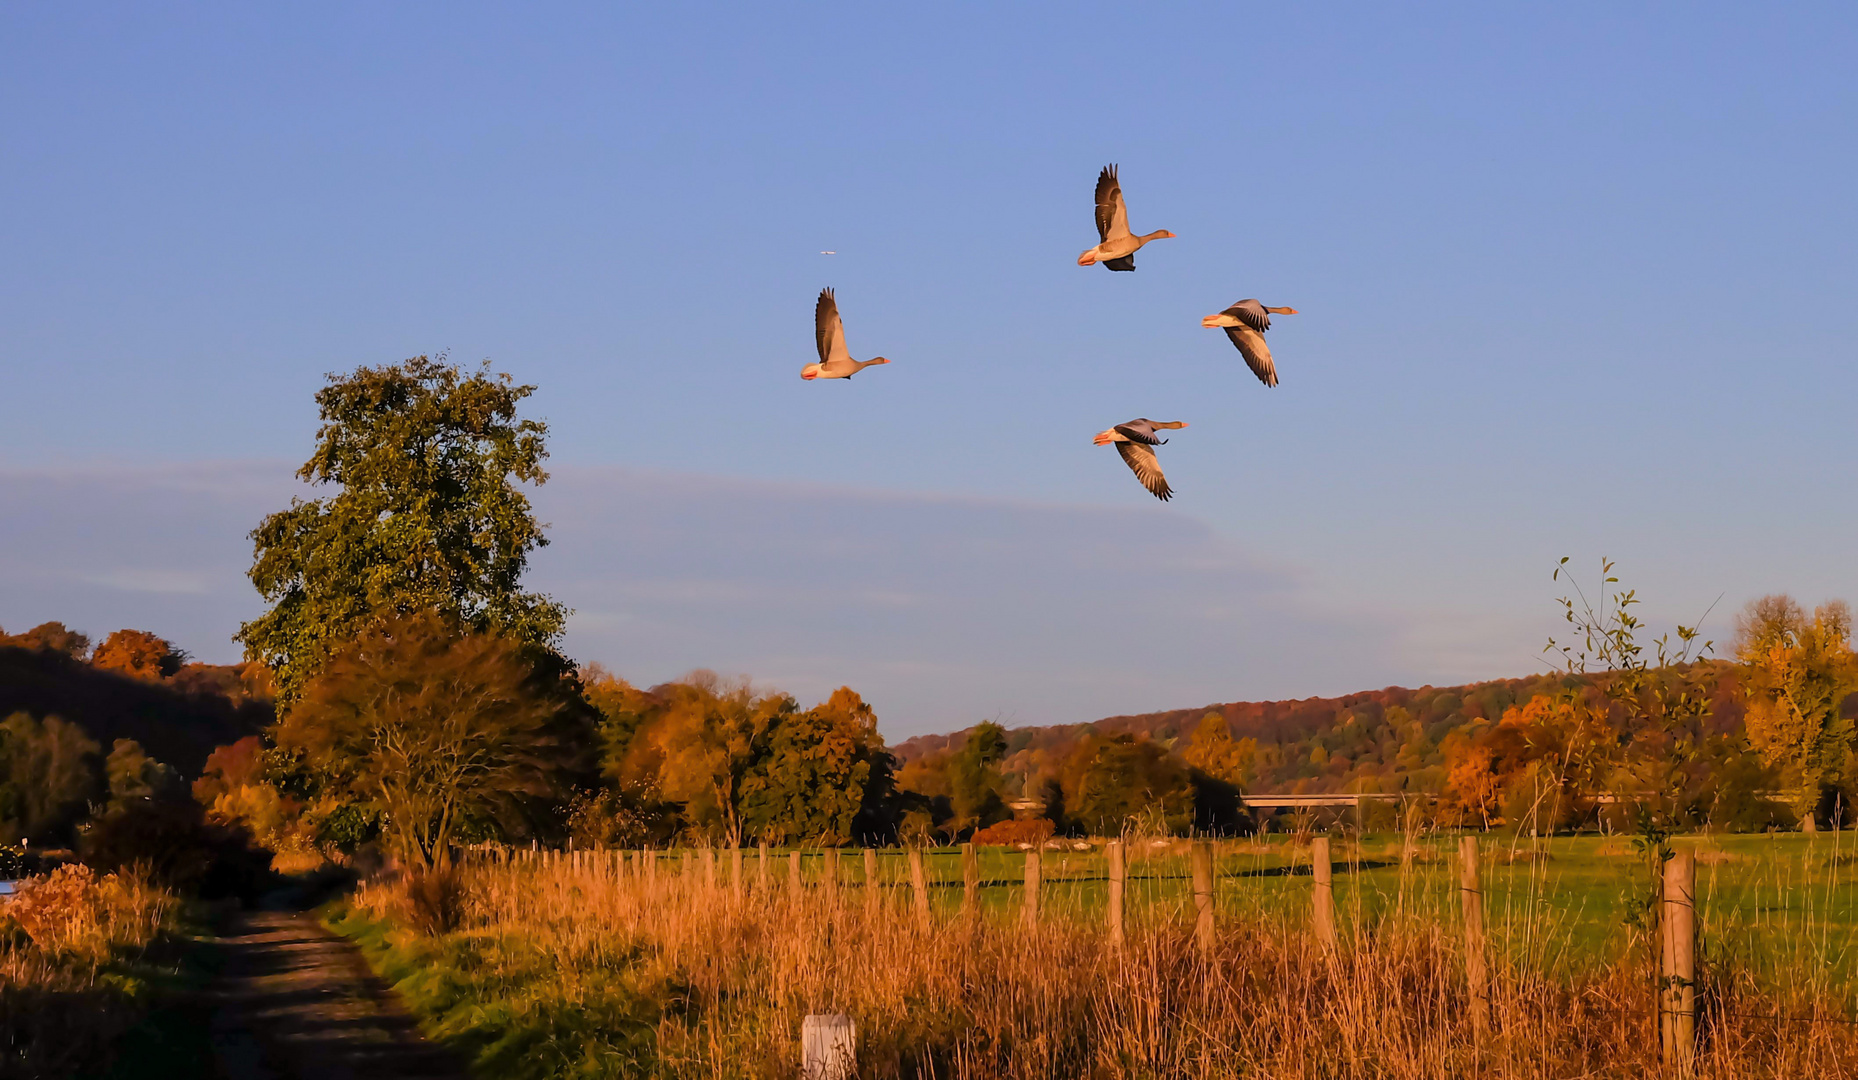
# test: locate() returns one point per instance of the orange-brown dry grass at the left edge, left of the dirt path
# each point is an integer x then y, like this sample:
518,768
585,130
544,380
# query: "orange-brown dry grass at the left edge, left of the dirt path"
62,997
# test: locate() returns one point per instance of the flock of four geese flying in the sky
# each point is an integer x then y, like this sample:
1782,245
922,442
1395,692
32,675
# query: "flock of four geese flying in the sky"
1244,323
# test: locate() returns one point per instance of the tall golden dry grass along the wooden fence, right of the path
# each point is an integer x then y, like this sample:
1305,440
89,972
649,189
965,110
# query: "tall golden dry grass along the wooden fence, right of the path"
714,984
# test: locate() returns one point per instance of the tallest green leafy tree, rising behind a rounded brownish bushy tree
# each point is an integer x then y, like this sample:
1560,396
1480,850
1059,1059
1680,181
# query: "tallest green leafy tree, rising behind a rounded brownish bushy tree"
426,514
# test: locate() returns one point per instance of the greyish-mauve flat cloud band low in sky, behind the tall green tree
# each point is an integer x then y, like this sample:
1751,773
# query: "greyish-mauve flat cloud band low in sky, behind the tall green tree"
939,609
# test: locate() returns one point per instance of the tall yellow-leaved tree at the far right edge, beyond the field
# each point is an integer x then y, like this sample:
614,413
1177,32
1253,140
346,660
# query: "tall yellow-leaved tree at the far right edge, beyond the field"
1798,674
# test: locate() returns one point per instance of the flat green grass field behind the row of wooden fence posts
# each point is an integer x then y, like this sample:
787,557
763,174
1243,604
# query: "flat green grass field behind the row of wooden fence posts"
1766,901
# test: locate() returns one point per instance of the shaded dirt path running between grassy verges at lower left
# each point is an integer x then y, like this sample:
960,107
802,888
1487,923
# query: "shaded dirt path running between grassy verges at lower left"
298,1003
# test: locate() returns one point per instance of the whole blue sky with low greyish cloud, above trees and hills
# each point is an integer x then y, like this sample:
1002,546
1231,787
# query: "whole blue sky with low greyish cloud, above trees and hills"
1573,282
